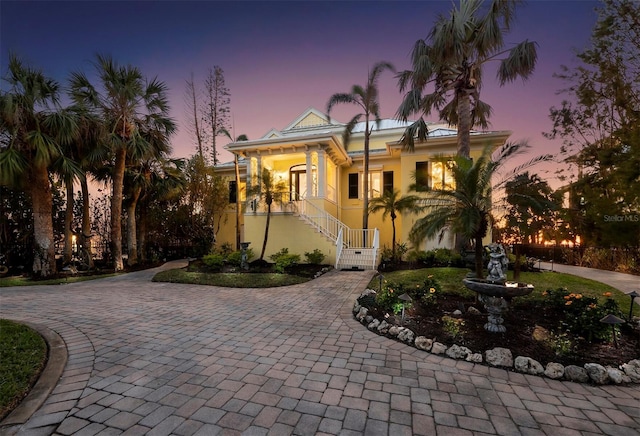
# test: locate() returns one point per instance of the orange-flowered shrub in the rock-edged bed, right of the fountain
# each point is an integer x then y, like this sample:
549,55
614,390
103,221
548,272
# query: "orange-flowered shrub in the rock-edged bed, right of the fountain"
582,314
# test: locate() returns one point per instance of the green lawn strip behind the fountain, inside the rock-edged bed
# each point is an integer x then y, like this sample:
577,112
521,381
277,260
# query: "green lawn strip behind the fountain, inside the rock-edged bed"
451,281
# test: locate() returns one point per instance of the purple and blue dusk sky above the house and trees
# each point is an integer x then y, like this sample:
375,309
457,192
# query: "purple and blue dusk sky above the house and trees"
281,57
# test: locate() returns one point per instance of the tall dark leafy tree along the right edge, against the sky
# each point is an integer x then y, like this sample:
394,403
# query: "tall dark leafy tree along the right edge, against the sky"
599,123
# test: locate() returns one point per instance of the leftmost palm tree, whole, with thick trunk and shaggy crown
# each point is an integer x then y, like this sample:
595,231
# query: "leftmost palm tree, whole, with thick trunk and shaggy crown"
33,127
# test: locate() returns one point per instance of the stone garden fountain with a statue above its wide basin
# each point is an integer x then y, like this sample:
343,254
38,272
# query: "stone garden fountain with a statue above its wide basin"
495,292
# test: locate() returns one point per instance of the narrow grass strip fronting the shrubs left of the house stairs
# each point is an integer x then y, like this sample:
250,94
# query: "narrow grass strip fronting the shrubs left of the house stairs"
229,280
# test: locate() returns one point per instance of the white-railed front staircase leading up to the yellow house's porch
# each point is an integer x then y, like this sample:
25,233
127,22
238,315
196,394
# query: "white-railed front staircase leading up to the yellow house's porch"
356,249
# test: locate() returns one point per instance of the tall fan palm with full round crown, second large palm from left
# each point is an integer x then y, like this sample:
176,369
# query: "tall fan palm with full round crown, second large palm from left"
130,106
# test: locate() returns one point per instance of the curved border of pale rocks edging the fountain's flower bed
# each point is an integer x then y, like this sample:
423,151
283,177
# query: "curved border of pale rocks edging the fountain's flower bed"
501,357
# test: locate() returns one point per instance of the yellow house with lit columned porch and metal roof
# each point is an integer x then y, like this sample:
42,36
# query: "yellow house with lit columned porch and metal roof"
321,205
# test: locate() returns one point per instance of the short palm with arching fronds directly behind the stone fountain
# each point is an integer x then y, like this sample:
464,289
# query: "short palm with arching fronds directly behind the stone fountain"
467,209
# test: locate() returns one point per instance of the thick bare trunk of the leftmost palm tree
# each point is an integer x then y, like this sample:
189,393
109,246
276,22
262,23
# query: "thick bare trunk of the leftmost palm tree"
44,259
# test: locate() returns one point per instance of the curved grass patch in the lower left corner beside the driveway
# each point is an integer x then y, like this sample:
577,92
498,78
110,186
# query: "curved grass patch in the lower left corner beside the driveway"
23,353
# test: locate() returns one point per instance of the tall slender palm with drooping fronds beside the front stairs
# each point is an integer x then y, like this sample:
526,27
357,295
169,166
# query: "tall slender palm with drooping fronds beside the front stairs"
367,99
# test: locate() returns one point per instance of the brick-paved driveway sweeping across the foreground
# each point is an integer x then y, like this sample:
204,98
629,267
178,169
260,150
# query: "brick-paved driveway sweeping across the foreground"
160,358
